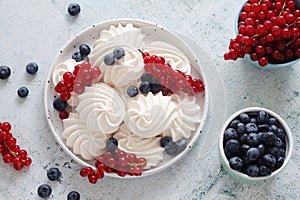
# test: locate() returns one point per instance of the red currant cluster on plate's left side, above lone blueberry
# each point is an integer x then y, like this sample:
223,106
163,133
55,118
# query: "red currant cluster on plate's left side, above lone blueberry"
76,81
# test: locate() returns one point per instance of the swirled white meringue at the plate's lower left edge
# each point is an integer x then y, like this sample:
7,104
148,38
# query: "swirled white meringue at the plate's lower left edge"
83,142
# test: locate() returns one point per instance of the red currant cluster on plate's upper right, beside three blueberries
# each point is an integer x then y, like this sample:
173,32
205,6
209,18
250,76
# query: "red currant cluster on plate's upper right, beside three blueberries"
173,80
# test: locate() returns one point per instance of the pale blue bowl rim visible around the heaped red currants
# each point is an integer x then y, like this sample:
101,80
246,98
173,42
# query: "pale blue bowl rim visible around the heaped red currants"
247,56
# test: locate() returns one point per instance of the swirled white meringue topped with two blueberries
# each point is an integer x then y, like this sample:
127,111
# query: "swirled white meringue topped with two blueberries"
125,70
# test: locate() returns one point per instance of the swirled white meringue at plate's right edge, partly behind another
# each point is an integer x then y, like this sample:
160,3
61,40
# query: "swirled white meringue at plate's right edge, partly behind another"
187,119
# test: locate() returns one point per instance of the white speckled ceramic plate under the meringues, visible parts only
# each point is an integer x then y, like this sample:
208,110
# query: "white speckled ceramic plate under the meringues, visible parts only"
153,32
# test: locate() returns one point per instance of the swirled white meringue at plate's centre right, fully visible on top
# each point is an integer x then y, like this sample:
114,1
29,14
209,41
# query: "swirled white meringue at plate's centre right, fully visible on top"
148,116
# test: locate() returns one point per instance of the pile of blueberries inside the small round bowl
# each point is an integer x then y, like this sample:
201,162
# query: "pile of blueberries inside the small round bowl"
255,144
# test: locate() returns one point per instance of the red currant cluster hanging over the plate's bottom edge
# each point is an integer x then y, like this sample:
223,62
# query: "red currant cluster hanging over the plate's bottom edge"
115,162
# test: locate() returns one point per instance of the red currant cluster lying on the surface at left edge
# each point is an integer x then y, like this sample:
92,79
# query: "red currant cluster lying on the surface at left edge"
11,152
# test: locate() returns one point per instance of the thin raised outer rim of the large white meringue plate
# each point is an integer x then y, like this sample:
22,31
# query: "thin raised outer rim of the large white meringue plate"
135,22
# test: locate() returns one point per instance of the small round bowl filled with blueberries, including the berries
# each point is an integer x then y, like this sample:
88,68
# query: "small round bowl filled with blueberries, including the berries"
255,144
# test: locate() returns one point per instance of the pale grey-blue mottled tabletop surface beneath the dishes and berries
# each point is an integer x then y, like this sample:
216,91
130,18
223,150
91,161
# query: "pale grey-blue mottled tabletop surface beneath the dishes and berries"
35,31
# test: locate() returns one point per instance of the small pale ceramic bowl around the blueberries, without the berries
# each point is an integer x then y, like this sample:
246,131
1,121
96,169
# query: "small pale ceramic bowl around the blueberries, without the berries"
244,177
